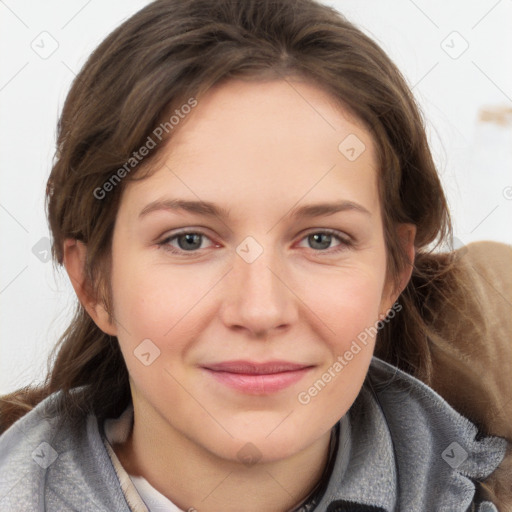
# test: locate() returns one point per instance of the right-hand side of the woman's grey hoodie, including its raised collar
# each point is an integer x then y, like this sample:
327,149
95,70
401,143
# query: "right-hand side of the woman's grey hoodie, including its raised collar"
403,440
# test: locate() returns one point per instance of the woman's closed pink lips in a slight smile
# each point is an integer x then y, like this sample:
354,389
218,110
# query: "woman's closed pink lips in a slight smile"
257,378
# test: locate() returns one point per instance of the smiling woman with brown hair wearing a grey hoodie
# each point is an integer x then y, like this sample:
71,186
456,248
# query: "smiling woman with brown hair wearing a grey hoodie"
244,199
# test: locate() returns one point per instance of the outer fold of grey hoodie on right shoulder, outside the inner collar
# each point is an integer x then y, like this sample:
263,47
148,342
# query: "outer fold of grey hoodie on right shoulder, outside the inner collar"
434,446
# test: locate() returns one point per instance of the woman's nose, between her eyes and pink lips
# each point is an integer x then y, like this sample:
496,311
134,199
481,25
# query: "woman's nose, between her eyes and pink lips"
258,299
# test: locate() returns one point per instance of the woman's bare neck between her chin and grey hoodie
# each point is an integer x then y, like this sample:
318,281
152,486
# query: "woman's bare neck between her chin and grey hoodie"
194,478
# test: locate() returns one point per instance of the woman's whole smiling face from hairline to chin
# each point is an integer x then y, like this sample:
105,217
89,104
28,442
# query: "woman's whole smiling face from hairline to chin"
233,309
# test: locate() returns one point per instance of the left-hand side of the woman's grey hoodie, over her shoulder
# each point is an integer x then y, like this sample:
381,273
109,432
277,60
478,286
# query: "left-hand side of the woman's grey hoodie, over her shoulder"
46,463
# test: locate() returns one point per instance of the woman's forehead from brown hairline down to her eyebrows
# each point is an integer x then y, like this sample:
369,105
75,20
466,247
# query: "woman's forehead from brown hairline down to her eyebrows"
261,142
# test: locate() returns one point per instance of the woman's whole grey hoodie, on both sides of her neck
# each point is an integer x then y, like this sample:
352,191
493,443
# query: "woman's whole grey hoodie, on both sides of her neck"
403,448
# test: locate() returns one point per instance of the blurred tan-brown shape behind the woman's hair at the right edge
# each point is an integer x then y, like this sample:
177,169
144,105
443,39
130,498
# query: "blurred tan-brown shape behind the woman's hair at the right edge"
464,352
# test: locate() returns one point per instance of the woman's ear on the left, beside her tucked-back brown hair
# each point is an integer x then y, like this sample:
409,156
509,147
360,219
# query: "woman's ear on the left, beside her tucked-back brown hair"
75,254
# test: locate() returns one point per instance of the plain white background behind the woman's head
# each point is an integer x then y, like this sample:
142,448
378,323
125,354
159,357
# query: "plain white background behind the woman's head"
474,157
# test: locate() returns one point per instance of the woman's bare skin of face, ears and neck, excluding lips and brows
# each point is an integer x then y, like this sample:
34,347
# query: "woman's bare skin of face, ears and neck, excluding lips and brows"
259,150
